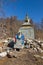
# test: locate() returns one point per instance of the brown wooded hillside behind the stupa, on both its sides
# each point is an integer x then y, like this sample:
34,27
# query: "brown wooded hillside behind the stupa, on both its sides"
10,26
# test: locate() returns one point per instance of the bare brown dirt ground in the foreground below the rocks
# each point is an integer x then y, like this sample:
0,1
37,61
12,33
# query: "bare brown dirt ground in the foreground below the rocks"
24,57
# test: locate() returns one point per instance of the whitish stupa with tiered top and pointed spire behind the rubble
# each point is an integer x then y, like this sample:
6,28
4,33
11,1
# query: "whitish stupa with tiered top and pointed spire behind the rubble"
27,29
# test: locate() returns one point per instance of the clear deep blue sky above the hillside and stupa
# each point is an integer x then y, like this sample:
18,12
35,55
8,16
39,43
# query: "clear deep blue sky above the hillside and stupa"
19,8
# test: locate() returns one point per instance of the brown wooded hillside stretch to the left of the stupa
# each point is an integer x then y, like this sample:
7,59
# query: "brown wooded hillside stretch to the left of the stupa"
9,26
